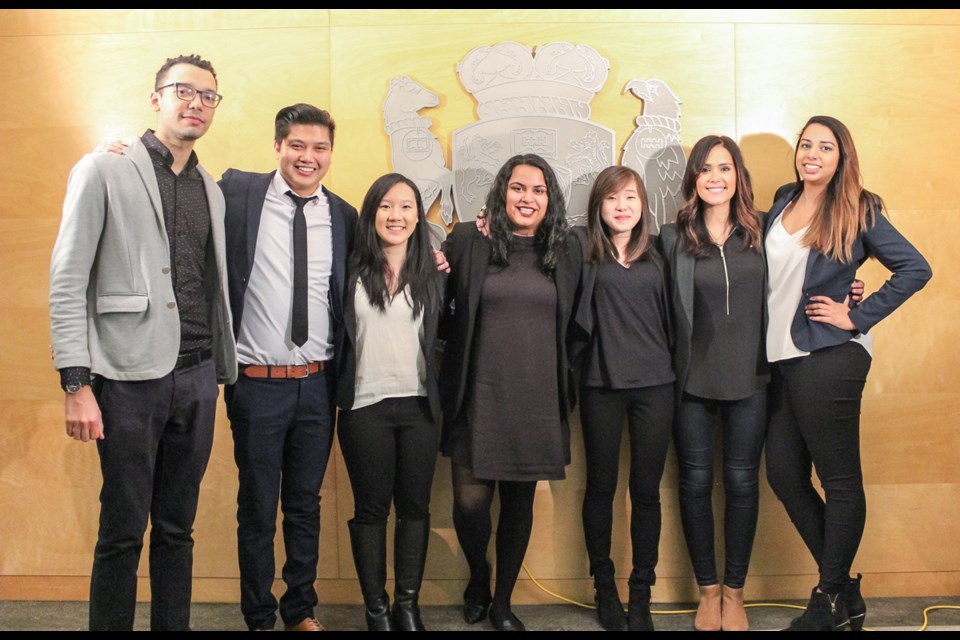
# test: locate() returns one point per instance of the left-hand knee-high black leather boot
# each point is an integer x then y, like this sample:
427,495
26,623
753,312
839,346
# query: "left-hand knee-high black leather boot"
369,545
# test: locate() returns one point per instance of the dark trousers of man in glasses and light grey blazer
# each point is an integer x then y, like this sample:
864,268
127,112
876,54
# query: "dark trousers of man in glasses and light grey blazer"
157,440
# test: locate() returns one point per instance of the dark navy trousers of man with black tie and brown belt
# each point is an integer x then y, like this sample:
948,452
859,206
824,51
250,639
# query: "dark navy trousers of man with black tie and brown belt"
282,434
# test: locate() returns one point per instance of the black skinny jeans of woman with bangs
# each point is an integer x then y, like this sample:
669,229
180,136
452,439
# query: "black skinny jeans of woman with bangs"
649,413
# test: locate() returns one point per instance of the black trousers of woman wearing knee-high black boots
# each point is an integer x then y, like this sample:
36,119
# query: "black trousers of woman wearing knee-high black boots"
390,449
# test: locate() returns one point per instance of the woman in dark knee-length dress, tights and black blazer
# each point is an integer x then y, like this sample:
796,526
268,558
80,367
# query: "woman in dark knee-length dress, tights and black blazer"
505,375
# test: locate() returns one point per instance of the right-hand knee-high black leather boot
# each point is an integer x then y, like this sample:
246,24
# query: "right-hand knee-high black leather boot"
409,556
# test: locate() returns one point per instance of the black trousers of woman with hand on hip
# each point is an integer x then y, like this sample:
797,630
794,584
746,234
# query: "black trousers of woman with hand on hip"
815,423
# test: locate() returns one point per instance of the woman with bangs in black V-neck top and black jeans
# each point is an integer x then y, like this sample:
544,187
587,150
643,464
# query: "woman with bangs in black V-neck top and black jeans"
625,372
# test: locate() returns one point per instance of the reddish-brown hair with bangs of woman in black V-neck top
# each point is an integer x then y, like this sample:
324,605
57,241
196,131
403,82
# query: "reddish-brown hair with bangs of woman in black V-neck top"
611,180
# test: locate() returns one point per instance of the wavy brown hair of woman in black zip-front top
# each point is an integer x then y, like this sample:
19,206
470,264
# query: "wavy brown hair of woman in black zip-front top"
691,228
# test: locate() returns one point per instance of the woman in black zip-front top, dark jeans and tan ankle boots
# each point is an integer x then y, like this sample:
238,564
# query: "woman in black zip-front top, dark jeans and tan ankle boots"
718,279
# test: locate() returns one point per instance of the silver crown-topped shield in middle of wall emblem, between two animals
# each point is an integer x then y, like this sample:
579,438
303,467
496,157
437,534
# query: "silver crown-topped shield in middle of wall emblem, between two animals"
531,103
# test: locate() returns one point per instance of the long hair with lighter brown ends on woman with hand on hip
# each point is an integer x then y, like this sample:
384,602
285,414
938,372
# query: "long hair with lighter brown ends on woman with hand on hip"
847,208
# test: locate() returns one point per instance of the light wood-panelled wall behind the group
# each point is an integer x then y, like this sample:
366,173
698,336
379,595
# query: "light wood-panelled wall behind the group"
71,79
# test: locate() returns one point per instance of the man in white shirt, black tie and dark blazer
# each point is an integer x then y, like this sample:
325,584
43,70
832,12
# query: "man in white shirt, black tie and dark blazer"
281,409
